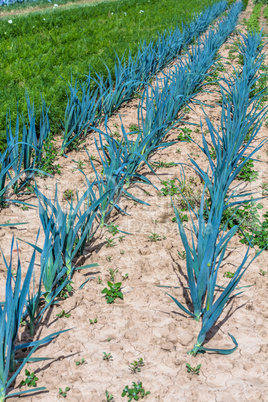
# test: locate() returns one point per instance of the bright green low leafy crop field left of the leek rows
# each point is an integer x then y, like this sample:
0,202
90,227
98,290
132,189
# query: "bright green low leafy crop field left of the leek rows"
42,49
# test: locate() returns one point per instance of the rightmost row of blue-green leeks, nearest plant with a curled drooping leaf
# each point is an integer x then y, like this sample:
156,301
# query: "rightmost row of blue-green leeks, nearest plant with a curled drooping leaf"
241,119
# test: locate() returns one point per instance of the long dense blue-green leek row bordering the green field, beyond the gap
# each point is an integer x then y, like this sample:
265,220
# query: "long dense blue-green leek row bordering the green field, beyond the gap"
99,97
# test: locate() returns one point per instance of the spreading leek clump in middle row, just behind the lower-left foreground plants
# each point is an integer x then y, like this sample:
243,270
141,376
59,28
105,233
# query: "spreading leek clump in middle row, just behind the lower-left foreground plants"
120,161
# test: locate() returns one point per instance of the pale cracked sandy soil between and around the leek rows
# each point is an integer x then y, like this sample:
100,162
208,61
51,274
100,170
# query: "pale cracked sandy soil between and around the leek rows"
147,324
